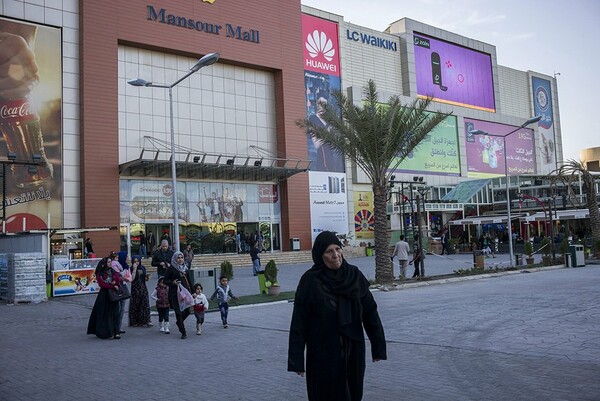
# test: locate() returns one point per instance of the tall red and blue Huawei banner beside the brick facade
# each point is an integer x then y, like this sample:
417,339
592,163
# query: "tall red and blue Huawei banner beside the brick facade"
321,77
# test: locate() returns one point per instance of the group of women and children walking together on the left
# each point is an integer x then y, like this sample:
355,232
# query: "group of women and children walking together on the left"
113,272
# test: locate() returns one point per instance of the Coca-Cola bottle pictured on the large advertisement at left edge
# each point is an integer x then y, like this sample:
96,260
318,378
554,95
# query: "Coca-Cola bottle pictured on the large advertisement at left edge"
20,126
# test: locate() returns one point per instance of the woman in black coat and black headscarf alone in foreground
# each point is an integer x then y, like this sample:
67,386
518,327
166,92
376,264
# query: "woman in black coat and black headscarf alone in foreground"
332,305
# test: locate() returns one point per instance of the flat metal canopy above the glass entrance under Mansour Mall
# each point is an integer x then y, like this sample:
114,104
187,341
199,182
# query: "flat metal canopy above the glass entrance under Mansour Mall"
155,161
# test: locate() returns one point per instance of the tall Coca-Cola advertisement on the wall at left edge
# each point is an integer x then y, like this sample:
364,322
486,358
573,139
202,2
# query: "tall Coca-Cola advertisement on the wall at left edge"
30,125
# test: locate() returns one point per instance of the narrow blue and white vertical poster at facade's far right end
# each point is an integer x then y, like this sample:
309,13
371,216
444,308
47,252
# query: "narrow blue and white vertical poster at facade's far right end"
542,105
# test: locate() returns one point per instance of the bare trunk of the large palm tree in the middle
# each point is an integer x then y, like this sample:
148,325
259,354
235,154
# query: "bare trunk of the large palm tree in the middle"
383,267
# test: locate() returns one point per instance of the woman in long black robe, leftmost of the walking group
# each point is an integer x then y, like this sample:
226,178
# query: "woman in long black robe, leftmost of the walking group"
104,319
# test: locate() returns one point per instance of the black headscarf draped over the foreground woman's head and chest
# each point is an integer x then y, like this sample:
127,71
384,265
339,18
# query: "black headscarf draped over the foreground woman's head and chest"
347,283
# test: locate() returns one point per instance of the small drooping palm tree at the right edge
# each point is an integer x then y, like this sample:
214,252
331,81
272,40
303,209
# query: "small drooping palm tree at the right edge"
570,172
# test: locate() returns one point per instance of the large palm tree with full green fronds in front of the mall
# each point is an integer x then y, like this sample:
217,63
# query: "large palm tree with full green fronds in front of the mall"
377,138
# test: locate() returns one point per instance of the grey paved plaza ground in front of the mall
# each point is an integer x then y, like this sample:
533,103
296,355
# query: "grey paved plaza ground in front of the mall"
519,336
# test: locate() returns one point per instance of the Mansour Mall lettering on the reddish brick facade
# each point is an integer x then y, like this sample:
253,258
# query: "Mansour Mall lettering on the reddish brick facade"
229,30
